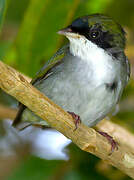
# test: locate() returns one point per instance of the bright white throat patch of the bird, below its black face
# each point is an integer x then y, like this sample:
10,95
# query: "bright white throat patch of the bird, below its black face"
98,60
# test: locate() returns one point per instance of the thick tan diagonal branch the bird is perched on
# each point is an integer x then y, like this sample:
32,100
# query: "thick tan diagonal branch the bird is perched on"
86,138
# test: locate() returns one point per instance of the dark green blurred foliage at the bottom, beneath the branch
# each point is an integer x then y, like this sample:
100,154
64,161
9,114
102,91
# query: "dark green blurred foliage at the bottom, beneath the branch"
80,167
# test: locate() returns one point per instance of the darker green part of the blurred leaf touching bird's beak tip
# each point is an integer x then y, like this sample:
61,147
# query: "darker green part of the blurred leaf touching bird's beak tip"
46,37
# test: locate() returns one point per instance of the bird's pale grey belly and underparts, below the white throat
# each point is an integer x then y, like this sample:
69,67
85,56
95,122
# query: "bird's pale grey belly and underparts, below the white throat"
74,87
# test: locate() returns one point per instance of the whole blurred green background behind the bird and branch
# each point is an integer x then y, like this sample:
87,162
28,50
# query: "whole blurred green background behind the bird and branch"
28,38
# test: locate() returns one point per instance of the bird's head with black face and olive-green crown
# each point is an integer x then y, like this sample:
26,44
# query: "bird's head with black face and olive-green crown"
100,29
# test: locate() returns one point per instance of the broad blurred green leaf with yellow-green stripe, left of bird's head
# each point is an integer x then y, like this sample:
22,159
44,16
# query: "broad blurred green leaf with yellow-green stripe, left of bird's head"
37,38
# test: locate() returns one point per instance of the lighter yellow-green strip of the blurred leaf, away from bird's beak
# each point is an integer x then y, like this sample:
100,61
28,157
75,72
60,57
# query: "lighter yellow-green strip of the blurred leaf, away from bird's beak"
26,33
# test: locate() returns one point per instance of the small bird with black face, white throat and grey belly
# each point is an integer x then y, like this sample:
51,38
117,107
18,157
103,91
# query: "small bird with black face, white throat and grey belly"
87,76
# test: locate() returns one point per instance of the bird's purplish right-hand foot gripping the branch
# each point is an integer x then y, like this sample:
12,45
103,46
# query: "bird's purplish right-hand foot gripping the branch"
114,144
